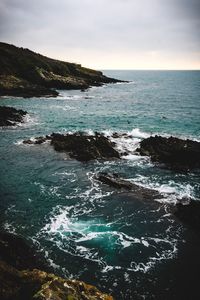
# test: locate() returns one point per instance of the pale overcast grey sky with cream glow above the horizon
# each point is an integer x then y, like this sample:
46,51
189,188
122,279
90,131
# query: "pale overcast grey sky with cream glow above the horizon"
107,34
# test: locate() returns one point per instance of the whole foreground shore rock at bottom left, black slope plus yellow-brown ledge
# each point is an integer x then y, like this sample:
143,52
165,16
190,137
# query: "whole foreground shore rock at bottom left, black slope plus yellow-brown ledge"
19,278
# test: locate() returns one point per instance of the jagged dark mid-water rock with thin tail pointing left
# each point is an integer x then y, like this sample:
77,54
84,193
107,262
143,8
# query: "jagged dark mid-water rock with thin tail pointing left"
80,146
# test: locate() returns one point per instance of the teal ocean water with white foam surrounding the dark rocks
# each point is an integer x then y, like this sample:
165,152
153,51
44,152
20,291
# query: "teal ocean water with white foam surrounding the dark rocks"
90,231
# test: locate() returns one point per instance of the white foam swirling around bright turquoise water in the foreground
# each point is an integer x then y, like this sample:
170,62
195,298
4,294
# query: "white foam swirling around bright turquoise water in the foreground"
86,239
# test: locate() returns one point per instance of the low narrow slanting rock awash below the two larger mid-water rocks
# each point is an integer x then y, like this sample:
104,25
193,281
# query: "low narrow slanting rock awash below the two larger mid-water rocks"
136,191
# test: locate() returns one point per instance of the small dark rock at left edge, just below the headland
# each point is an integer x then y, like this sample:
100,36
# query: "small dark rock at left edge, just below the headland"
9,116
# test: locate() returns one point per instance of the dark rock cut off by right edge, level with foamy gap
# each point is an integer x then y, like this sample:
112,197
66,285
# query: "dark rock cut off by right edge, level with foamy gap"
175,153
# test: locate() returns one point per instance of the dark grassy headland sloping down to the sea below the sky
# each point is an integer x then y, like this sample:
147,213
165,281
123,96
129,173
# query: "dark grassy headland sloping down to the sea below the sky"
26,73
